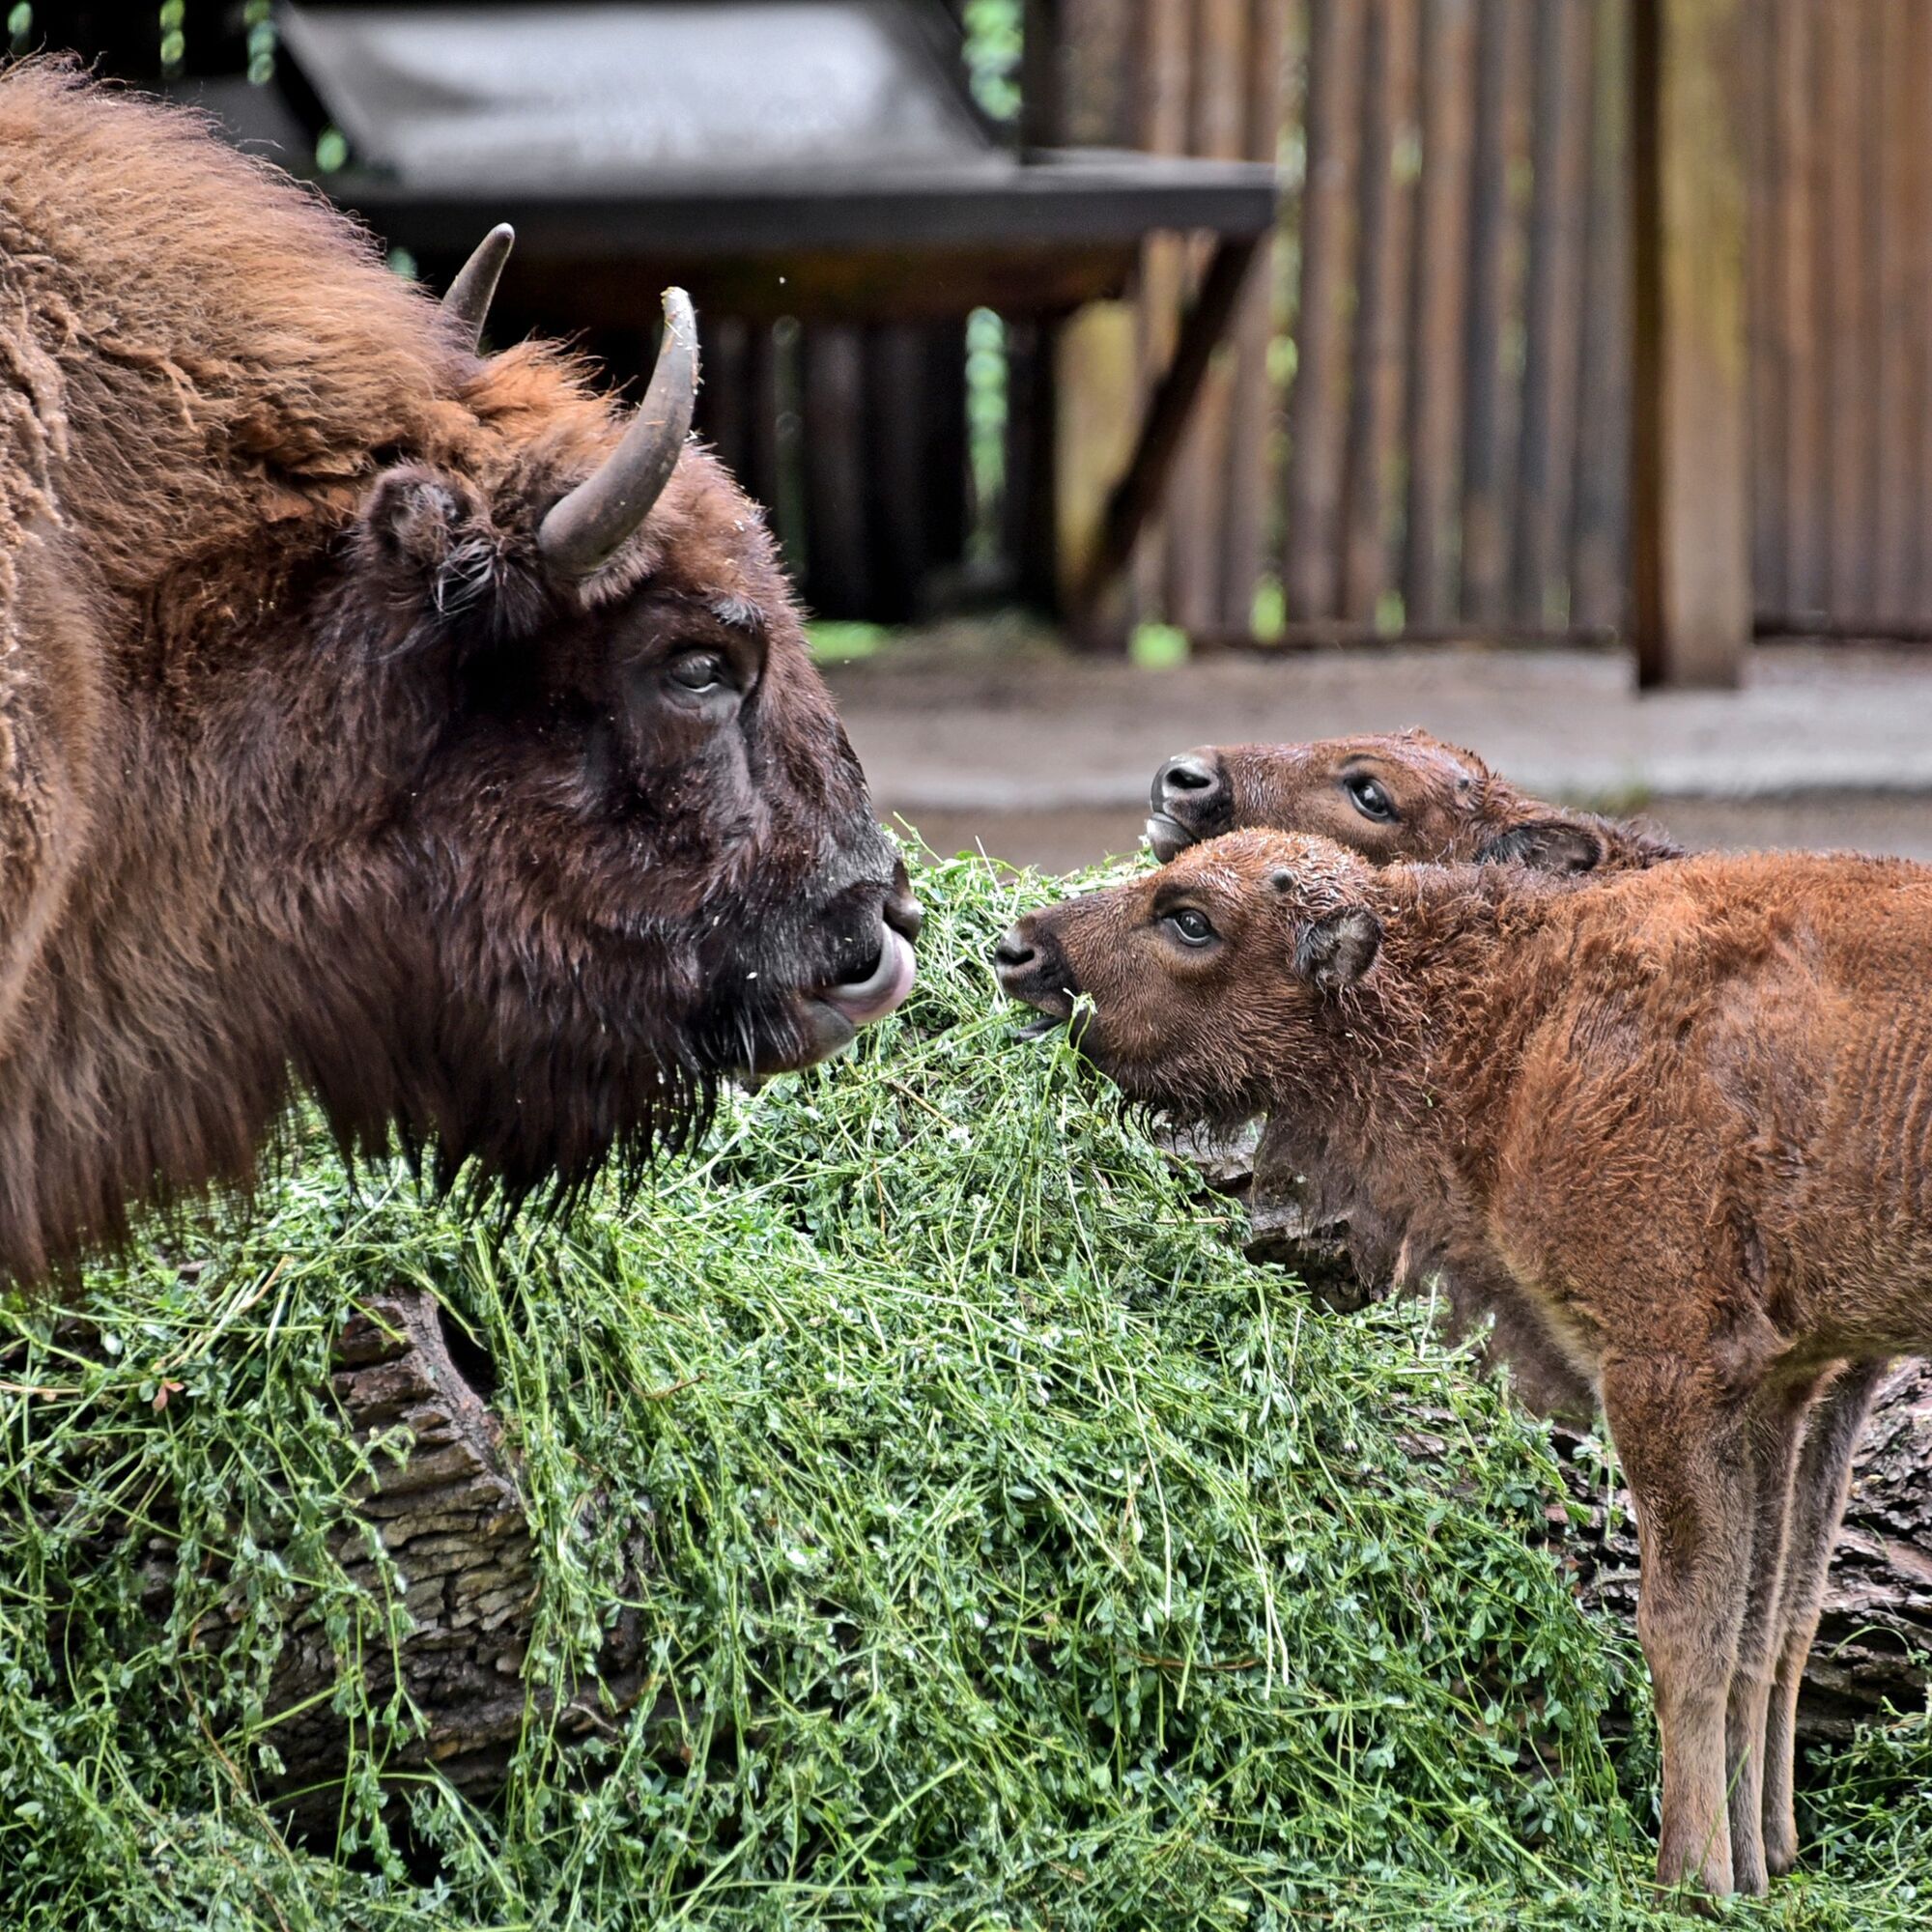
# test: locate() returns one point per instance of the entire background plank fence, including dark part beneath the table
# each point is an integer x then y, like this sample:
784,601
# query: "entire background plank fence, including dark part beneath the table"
1423,424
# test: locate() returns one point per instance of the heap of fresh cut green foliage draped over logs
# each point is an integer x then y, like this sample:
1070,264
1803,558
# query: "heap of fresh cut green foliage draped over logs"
1025,1556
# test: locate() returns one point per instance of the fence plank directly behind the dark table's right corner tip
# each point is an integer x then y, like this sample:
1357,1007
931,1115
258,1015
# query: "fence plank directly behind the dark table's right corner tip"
1253,389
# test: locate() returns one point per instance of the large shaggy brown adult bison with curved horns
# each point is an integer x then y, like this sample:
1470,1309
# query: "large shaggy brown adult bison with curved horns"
376,718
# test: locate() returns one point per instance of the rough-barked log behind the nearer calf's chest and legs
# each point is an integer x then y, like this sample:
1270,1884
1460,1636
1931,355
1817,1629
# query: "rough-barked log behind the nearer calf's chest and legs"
1875,1643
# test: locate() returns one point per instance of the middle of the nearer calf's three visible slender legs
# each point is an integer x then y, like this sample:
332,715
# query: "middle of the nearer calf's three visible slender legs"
1775,1433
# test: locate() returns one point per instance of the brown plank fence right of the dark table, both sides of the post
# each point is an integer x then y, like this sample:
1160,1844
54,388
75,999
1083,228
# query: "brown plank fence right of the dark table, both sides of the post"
1425,426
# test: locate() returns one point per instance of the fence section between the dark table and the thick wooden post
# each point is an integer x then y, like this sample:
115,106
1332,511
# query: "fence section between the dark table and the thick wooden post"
1423,422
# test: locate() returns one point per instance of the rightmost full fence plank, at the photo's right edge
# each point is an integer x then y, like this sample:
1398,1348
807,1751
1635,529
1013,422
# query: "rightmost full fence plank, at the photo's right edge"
1900,244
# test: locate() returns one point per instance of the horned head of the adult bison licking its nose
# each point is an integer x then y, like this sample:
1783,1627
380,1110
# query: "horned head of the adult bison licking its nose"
629,843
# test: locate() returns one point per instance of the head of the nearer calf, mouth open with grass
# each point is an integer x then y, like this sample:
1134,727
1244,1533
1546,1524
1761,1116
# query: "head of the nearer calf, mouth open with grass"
1193,986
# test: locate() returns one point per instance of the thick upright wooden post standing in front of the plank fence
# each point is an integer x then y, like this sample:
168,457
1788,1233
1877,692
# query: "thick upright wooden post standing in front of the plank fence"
1690,478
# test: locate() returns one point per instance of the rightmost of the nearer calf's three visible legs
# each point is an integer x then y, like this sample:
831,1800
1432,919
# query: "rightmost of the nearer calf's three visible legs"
1817,1508
